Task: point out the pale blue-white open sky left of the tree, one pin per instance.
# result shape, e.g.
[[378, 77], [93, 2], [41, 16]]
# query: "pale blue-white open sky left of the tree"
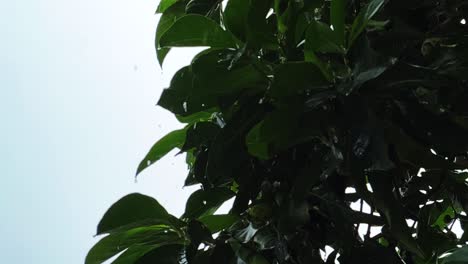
[[78, 86]]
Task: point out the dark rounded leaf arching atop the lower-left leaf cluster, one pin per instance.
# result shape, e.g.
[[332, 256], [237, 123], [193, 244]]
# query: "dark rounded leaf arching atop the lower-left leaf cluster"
[[132, 208]]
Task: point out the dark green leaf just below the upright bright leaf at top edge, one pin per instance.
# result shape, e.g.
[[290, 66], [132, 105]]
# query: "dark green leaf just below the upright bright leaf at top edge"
[[320, 38]]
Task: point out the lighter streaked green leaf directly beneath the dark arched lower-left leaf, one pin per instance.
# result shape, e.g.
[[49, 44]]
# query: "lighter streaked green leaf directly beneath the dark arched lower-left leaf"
[[112, 244]]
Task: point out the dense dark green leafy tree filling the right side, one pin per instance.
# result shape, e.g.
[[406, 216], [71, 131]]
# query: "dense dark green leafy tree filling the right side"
[[296, 110]]
